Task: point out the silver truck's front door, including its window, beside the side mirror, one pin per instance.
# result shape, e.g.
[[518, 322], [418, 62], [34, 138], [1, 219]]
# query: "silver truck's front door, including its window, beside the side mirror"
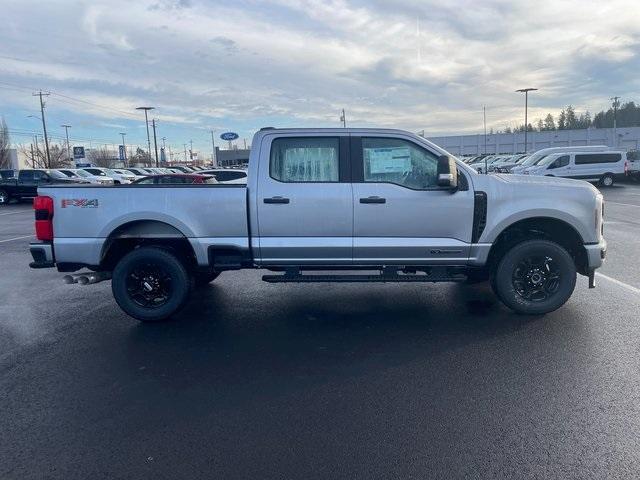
[[401, 216]]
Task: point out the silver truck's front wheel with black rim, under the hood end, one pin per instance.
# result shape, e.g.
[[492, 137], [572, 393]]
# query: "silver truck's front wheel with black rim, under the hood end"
[[535, 277]]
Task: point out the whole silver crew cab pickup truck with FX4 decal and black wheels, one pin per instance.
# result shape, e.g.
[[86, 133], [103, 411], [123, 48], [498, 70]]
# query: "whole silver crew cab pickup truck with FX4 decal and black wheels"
[[329, 205]]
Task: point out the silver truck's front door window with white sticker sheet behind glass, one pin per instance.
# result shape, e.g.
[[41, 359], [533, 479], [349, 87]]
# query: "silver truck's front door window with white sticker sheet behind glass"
[[393, 160]]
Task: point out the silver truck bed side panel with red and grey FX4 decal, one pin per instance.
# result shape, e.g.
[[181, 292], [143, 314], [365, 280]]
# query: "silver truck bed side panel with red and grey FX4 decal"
[[85, 216]]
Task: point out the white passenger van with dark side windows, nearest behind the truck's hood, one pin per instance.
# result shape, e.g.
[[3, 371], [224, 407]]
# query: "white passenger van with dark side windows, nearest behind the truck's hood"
[[602, 167]]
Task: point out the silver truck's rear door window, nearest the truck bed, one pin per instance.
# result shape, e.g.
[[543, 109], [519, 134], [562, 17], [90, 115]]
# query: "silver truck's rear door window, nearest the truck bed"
[[304, 159]]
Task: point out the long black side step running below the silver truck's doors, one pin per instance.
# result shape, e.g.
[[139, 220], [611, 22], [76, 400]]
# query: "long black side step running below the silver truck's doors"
[[436, 275]]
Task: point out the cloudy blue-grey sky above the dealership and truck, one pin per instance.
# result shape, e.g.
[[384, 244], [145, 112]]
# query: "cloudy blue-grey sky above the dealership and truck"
[[238, 65]]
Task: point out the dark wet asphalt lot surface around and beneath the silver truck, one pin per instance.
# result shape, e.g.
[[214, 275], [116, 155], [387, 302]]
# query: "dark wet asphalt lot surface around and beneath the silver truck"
[[258, 380]]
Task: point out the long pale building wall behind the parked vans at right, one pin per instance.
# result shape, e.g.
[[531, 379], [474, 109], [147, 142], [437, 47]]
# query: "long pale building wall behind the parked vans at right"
[[623, 138]]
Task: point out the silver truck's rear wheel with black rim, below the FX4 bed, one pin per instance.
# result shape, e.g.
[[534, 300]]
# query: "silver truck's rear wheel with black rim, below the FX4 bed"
[[150, 268]]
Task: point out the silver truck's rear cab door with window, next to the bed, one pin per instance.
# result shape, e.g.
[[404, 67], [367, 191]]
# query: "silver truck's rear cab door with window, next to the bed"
[[304, 200]]
